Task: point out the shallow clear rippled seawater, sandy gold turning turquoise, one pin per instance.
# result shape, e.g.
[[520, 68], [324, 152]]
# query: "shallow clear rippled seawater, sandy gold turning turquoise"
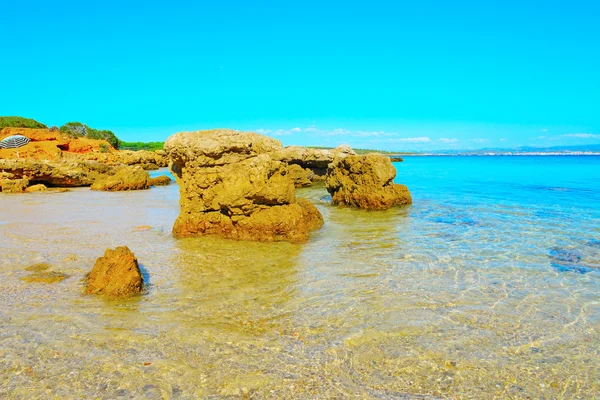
[[488, 286]]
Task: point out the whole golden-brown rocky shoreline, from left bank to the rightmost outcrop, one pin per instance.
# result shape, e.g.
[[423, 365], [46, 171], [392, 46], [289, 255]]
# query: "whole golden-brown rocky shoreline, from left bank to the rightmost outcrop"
[[238, 185]]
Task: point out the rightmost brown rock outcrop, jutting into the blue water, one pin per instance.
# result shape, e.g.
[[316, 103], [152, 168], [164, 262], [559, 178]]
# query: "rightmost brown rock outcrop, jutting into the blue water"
[[366, 182]]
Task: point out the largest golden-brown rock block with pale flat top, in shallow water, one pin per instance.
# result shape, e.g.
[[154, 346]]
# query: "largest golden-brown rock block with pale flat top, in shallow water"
[[231, 186]]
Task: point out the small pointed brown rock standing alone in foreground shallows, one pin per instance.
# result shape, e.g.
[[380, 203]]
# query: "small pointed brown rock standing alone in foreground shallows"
[[116, 274]]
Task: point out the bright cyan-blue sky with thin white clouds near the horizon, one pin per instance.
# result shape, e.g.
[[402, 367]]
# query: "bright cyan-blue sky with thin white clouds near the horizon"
[[379, 74]]
